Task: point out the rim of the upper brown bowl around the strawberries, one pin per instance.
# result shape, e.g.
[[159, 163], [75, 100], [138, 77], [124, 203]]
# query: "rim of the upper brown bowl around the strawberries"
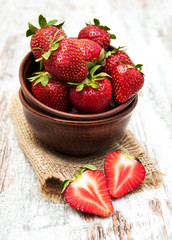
[[62, 114]]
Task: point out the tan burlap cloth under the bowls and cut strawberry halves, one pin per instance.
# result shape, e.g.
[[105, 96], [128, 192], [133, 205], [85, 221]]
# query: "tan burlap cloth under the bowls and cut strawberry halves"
[[52, 168]]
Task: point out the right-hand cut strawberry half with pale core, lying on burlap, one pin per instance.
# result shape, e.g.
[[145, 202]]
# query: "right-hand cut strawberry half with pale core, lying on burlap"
[[123, 173]]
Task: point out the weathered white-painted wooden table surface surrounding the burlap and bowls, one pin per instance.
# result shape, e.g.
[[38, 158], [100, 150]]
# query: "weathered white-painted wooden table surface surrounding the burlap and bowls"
[[145, 27]]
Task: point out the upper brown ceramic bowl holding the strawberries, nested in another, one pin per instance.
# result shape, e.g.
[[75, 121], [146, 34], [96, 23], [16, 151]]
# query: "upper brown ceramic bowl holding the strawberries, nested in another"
[[28, 67]]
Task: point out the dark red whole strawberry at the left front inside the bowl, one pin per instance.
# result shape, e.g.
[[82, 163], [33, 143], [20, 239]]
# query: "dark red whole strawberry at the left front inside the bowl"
[[49, 91]]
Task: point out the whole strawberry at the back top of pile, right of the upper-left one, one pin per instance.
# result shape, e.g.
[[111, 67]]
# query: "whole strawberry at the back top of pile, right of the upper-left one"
[[97, 33]]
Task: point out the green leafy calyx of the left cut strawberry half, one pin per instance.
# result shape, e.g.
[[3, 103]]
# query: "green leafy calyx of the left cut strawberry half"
[[76, 176]]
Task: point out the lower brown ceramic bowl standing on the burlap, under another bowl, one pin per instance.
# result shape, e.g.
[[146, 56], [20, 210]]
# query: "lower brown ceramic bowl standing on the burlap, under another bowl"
[[73, 136]]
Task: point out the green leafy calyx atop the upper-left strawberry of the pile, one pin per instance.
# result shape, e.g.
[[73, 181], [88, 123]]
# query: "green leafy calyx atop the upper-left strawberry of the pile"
[[42, 23]]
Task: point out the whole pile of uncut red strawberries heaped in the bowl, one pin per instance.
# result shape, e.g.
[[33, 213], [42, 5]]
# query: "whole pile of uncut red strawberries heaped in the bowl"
[[84, 74]]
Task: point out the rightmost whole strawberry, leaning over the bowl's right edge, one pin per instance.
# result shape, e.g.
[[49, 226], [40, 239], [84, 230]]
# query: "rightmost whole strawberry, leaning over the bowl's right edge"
[[126, 81]]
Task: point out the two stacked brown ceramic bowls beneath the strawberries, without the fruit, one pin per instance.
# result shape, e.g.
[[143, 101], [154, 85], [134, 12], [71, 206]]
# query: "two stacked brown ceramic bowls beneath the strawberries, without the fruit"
[[70, 133]]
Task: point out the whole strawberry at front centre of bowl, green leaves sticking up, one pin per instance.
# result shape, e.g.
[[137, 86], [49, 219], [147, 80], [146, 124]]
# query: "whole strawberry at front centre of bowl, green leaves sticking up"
[[93, 95]]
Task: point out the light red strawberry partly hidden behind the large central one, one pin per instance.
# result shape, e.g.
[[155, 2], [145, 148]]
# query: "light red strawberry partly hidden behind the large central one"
[[92, 52]]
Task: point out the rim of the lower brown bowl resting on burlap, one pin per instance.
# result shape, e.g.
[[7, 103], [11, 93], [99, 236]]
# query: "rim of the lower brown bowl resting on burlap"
[[63, 121]]
